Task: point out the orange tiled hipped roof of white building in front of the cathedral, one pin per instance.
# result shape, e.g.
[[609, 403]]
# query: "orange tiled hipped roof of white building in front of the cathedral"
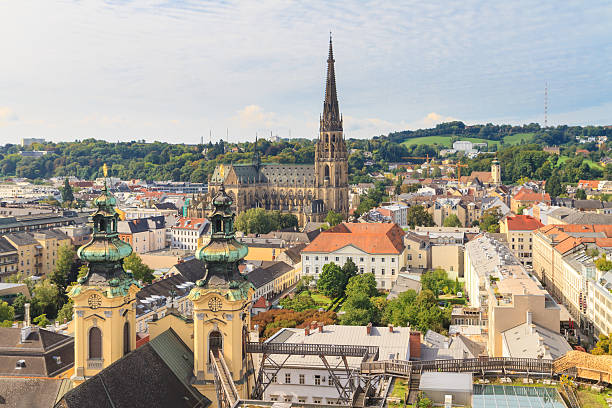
[[372, 238]]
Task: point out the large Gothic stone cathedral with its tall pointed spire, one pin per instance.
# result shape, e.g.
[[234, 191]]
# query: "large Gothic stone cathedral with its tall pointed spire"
[[305, 190]]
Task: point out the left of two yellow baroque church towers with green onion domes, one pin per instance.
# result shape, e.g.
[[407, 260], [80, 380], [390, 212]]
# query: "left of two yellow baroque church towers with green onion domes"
[[104, 299]]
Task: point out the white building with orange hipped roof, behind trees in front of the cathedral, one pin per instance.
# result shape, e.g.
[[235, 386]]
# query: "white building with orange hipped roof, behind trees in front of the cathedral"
[[374, 247]]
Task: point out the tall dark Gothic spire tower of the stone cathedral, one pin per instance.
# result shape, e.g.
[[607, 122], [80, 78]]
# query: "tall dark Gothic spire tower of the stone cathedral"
[[331, 157]]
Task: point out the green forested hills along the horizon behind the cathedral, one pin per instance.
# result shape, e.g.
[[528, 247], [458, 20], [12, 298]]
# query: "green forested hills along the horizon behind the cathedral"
[[180, 162]]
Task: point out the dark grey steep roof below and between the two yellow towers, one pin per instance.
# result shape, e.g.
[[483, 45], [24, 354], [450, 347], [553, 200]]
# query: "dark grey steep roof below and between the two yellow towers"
[[157, 374]]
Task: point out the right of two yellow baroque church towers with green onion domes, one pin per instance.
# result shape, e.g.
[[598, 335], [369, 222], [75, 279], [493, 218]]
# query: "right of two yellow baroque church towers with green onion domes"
[[221, 305]]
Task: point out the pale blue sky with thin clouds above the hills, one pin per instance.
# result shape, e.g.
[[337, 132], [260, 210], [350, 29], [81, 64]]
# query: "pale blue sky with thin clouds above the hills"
[[181, 70]]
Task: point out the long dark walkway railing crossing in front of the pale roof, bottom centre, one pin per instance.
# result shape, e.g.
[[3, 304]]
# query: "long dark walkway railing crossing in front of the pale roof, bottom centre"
[[312, 349]]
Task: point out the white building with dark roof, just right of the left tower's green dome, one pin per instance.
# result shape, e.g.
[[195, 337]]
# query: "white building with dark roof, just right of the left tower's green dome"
[[145, 234]]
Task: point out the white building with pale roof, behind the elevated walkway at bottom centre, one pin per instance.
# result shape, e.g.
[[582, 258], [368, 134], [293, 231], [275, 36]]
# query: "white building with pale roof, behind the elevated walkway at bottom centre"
[[304, 379]]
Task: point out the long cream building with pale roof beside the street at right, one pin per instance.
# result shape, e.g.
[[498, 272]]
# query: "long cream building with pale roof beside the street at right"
[[515, 302]]
